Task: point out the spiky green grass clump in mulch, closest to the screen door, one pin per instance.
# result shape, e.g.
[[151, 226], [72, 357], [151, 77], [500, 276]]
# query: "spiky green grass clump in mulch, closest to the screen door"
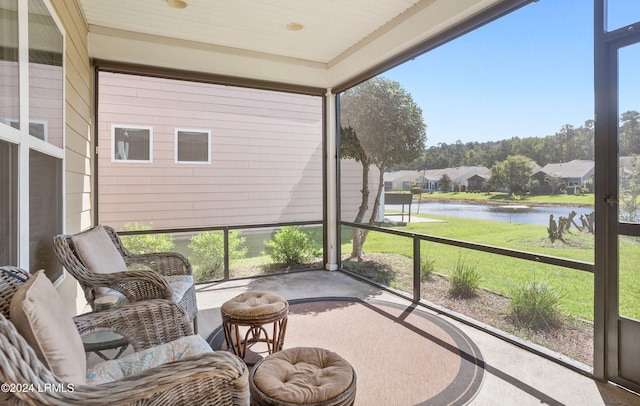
[[535, 305]]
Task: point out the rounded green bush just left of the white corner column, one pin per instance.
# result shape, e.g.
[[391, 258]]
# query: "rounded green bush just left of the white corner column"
[[292, 246]]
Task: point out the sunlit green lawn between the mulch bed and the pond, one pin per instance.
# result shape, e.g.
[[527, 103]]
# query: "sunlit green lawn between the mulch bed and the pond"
[[500, 273]]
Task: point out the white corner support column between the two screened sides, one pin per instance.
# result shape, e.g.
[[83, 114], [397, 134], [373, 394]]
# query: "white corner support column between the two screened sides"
[[332, 183]]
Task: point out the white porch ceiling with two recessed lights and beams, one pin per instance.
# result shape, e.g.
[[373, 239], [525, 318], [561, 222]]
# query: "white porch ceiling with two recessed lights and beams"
[[254, 32]]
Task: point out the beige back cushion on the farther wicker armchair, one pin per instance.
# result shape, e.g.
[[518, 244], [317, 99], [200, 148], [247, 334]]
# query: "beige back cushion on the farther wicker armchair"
[[97, 251]]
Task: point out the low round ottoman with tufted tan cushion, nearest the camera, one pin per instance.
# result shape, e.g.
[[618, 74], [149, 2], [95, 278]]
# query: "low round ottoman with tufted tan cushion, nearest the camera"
[[303, 376]]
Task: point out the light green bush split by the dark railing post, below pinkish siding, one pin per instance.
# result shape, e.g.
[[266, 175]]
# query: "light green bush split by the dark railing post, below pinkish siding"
[[208, 253]]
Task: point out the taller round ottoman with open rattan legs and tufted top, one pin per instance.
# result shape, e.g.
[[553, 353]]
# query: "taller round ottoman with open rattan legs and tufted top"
[[245, 319]]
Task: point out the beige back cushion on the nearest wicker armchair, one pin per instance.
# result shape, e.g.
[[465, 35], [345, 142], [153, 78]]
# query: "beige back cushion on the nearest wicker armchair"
[[41, 318]]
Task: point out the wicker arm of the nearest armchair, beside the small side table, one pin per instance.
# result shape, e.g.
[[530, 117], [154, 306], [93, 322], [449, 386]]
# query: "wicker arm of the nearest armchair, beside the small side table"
[[143, 324]]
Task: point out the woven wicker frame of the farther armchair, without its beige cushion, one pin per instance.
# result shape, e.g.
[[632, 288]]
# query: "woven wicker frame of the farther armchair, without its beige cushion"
[[148, 276]]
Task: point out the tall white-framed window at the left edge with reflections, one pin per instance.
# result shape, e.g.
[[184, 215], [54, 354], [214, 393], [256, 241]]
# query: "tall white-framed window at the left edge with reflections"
[[31, 173]]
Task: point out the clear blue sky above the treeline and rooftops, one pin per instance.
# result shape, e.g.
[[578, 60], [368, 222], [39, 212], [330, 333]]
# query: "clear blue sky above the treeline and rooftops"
[[526, 74]]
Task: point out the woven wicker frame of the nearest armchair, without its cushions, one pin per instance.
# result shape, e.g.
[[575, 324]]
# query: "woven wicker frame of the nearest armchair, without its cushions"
[[212, 378]]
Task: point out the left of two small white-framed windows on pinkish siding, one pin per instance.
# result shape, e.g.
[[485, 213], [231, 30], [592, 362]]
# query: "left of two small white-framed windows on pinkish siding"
[[132, 144]]
